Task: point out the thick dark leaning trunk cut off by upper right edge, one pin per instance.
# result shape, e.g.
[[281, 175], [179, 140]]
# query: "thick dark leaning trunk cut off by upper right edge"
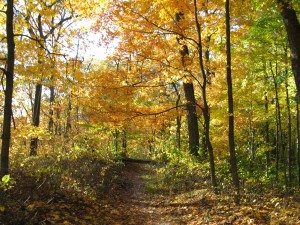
[[292, 26]]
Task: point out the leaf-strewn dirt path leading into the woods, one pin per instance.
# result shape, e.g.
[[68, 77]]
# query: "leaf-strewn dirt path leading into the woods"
[[133, 204]]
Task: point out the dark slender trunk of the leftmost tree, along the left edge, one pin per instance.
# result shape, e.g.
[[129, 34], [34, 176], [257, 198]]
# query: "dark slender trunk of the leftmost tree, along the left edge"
[[10, 64]]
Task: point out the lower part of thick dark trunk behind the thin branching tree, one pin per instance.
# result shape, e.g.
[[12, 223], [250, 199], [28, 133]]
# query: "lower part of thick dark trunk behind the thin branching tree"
[[192, 119]]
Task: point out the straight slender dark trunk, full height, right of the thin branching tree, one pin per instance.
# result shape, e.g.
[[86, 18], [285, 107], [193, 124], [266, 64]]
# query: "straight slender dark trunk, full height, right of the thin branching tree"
[[233, 163]]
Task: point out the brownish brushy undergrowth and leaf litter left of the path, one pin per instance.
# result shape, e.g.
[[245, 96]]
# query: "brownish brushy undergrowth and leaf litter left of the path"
[[58, 189]]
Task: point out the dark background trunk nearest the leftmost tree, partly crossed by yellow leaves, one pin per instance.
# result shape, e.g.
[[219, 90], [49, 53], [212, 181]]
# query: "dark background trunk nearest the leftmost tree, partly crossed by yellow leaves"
[[36, 117]]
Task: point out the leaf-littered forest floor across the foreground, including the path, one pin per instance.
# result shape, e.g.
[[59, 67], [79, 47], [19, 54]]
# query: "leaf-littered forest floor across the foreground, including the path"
[[134, 200]]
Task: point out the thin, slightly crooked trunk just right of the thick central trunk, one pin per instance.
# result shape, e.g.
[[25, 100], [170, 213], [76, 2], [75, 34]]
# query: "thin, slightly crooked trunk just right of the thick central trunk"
[[205, 109]]
